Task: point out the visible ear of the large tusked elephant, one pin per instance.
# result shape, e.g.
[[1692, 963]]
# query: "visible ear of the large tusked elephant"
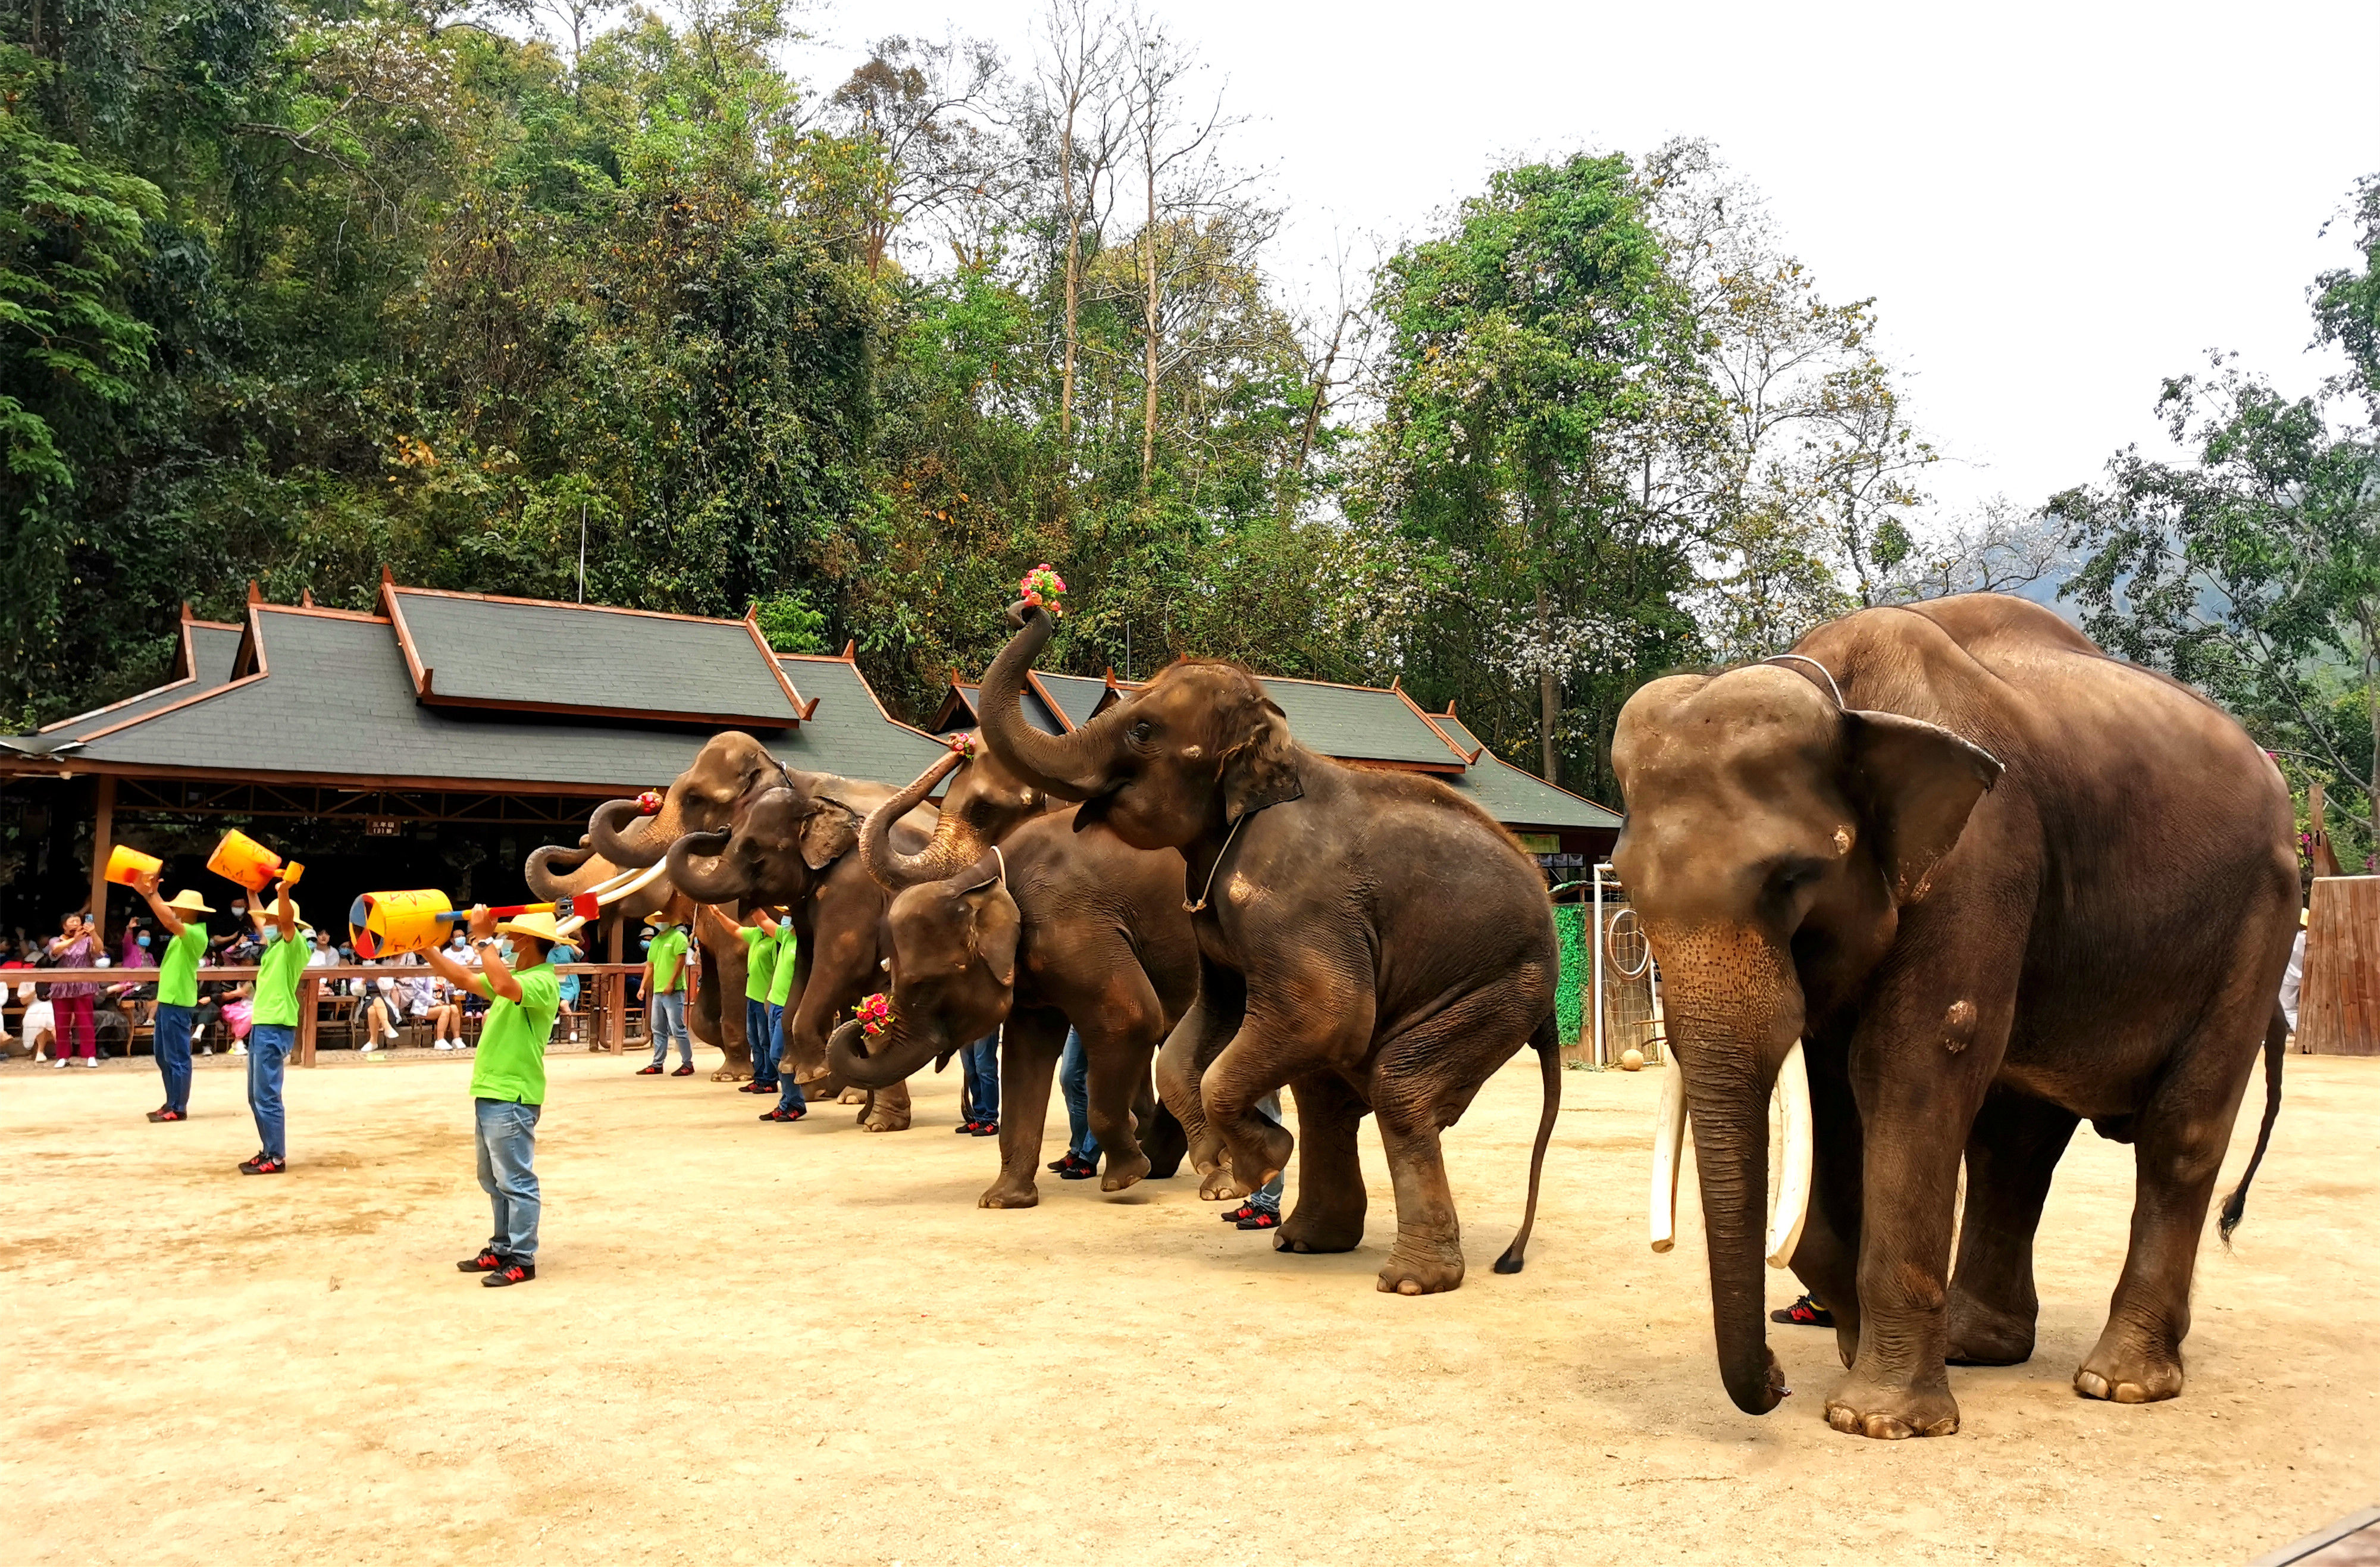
[[1915, 785]]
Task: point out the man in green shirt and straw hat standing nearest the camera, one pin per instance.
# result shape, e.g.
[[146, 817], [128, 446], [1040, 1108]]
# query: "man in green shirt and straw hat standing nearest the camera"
[[508, 1080]]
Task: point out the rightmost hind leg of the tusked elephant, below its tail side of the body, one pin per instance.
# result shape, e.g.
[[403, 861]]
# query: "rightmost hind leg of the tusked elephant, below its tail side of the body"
[[2177, 1159]]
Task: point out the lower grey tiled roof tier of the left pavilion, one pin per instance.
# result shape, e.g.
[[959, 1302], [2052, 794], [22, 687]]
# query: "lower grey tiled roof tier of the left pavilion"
[[339, 701]]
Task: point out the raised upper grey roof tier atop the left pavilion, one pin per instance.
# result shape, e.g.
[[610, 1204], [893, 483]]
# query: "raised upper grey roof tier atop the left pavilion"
[[653, 663]]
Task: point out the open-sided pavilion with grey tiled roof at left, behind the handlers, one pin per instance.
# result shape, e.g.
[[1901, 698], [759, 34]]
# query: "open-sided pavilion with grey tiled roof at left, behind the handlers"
[[427, 744]]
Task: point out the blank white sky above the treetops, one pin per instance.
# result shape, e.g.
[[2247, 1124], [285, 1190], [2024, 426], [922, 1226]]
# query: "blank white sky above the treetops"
[[2053, 206]]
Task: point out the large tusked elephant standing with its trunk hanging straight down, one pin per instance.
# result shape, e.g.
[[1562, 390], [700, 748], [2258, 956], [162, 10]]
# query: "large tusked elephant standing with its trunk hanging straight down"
[[1953, 880]]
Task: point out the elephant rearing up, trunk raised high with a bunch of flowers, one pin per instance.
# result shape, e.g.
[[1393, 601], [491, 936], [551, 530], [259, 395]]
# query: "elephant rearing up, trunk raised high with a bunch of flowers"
[[1367, 937]]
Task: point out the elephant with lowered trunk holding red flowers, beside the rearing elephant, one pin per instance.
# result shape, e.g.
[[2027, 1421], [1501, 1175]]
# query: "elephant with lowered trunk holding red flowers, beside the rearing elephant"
[[1053, 930]]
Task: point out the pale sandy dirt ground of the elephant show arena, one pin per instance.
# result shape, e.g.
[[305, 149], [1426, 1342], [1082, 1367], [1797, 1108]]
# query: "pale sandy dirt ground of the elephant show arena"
[[808, 1344]]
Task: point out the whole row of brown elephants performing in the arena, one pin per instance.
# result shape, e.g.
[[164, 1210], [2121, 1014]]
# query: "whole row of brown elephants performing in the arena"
[[1946, 880]]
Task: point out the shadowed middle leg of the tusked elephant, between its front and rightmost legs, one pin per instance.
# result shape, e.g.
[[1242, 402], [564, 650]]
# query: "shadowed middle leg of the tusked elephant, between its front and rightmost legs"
[[2010, 1159]]
